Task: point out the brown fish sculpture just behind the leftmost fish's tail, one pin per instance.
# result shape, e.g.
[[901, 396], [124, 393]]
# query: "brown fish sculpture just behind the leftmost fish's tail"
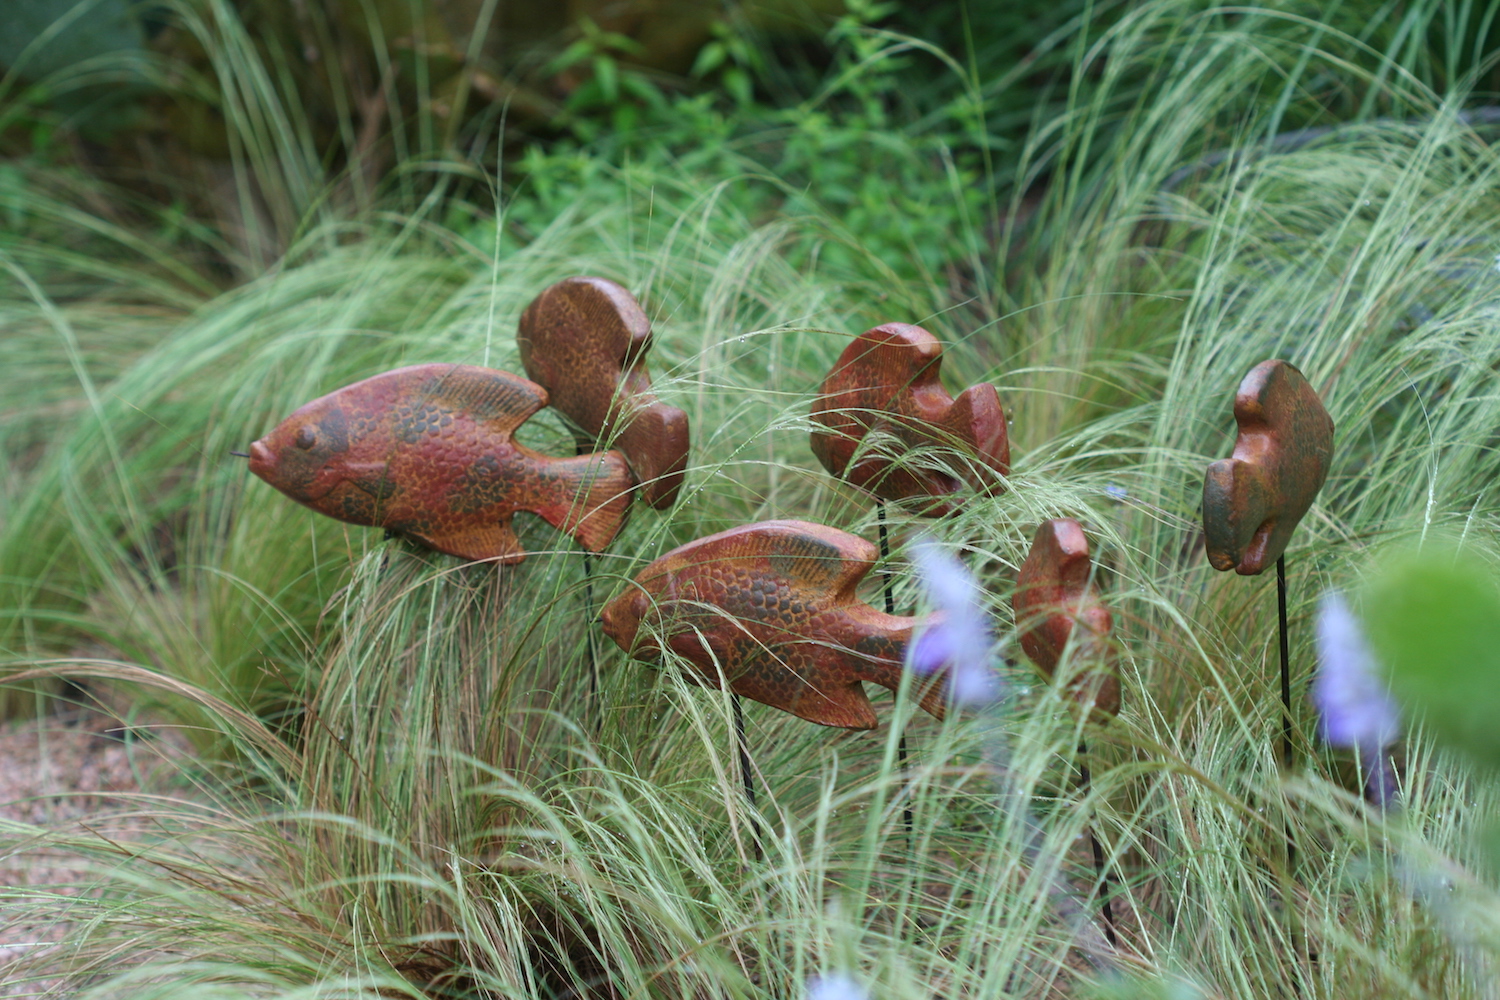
[[584, 341]]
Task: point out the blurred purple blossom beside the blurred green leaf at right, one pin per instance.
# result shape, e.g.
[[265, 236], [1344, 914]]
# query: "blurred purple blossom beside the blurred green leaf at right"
[[1354, 707]]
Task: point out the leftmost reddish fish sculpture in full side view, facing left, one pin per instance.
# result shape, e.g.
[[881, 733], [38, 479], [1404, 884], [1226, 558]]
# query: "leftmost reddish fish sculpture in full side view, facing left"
[[428, 452]]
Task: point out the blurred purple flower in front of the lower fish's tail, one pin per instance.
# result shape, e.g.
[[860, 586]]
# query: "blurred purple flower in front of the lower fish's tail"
[[958, 638]]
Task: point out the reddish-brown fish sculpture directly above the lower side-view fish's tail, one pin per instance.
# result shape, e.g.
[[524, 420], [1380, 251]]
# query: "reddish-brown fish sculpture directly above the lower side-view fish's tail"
[[889, 380]]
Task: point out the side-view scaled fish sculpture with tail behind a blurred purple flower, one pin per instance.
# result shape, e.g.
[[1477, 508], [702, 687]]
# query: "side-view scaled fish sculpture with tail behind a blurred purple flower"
[[773, 606]]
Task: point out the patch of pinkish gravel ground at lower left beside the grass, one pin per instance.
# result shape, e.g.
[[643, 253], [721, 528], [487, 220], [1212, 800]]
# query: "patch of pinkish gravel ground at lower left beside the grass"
[[67, 773]]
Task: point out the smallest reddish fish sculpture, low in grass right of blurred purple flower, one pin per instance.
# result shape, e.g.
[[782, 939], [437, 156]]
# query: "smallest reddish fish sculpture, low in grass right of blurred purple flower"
[[1055, 603]]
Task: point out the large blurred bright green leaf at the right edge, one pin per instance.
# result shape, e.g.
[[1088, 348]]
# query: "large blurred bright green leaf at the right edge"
[[1435, 621]]
